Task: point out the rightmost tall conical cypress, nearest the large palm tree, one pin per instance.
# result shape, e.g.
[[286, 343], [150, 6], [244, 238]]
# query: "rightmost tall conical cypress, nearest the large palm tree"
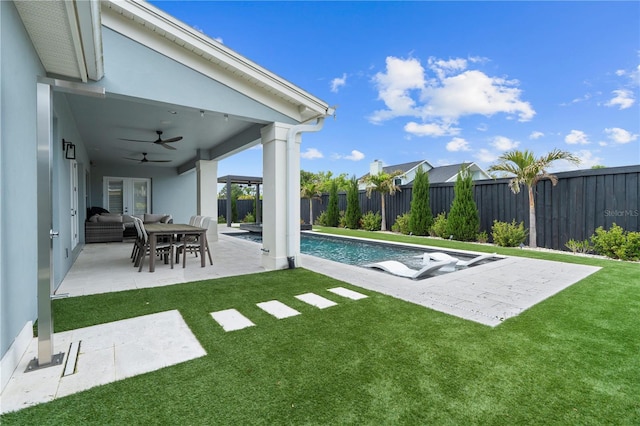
[[463, 221]]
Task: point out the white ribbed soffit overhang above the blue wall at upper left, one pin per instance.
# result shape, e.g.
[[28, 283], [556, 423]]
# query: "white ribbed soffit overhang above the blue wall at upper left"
[[53, 29]]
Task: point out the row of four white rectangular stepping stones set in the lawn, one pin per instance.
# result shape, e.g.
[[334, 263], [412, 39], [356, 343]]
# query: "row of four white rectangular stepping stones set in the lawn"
[[232, 319]]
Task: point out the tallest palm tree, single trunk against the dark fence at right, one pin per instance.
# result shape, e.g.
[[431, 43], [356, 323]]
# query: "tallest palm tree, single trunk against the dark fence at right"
[[528, 170]]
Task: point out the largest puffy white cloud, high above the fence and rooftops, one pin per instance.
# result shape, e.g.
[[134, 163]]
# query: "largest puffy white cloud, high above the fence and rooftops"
[[454, 92]]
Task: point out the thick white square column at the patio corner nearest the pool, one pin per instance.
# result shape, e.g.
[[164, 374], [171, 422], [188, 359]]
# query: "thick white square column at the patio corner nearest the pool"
[[274, 198]]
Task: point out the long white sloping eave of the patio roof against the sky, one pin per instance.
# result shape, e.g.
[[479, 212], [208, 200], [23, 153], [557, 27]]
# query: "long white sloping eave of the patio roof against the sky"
[[163, 33]]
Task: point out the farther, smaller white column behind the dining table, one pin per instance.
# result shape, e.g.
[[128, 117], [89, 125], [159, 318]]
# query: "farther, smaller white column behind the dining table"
[[207, 177]]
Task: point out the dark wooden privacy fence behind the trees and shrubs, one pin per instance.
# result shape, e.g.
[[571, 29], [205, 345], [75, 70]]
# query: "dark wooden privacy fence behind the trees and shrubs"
[[581, 201]]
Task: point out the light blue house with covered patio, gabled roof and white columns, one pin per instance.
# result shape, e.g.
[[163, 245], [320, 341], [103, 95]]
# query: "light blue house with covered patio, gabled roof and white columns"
[[101, 91]]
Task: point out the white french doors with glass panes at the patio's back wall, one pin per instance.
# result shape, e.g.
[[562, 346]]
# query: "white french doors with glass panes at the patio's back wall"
[[127, 195]]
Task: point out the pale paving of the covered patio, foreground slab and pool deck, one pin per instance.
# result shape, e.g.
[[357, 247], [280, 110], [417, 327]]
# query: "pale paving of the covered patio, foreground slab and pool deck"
[[487, 294]]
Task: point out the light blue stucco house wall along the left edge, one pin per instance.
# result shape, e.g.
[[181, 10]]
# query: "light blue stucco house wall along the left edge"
[[19, 67]]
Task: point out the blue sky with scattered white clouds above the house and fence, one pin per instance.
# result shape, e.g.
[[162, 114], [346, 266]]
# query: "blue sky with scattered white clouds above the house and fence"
[[444, 81]]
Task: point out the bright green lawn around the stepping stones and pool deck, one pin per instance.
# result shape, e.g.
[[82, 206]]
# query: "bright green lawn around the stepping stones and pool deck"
[[573, 359]]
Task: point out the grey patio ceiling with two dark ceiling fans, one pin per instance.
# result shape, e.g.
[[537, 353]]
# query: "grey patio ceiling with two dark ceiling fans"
[[103, 123]]
